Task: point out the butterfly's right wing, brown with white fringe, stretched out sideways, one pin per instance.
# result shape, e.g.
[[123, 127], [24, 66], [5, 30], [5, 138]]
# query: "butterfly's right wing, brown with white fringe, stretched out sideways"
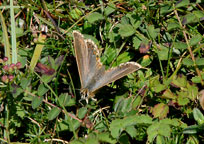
[[114, 74]]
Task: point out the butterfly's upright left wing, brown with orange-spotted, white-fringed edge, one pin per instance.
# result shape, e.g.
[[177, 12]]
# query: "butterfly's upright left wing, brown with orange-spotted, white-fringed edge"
[[88, 61]]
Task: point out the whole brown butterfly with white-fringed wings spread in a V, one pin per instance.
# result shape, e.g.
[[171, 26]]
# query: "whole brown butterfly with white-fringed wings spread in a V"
[[92, 72]]
